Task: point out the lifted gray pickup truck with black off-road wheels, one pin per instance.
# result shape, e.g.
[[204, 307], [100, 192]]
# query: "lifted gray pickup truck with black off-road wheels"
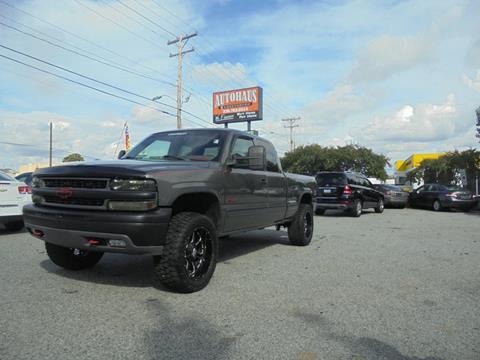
[[172, 196]]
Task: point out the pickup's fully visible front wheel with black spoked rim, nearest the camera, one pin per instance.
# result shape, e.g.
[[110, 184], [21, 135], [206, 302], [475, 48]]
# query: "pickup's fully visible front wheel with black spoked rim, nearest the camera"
[[190, 253]]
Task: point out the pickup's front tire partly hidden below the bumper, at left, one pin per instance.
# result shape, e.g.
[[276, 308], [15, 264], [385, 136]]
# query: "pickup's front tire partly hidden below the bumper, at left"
[[72, 259]]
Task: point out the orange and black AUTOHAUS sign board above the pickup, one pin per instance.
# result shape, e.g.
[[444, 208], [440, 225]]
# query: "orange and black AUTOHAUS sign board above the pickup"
[[237, 105]]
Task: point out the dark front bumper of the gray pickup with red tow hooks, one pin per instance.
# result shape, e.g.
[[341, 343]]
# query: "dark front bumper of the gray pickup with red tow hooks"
[[142, 232]]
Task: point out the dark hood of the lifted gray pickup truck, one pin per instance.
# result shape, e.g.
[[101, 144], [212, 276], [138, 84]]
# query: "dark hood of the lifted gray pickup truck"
[[122, 168]]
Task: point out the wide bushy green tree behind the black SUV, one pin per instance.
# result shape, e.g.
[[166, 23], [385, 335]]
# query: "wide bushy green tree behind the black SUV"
[[314, 158]]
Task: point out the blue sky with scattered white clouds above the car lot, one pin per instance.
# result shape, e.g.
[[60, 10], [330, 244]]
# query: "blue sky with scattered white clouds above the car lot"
[[399, 77]]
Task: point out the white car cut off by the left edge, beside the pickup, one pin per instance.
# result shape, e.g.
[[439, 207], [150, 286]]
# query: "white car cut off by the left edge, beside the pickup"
[[13, 195]]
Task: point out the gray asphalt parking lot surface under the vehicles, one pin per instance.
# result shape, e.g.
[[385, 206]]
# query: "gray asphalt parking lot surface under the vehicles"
[[402, 285]]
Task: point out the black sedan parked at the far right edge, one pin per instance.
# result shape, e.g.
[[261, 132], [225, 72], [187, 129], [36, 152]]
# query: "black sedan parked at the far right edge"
[[439, 197]]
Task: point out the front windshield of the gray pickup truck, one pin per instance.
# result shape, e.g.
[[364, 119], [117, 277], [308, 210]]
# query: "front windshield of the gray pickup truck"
[[197, 145]]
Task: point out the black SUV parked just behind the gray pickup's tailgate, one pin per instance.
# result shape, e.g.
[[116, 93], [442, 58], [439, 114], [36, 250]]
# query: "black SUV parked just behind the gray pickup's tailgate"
[[349, 191]]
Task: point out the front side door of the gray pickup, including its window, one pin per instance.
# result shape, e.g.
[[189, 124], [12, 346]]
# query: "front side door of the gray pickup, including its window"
[[245, 190]]
